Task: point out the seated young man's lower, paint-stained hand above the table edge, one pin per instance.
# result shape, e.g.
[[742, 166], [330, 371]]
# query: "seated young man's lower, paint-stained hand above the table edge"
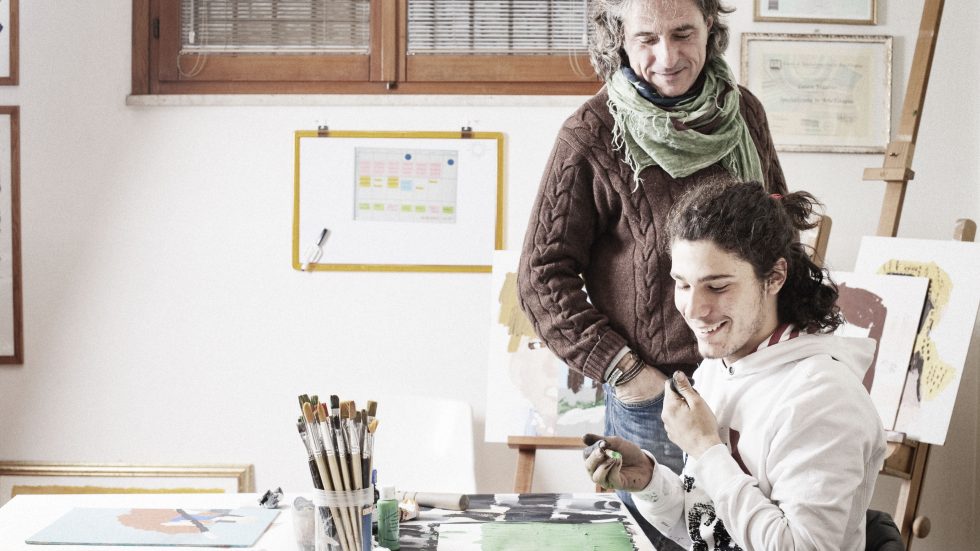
[[617, 464]]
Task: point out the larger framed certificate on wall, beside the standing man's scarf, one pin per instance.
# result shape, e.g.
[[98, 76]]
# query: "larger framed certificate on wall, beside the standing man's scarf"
[[822, 93]]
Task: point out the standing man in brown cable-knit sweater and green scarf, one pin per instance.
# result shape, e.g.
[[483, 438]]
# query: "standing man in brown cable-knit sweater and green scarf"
[[593, 279]]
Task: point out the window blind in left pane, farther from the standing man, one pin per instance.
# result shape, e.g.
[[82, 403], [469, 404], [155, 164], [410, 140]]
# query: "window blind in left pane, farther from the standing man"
[[275, 26]]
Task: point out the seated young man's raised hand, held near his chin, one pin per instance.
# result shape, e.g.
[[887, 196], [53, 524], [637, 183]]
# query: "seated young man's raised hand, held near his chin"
[[689, 421]]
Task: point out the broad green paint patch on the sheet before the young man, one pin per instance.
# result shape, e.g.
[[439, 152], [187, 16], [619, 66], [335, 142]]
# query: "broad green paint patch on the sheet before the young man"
[[534, 536]]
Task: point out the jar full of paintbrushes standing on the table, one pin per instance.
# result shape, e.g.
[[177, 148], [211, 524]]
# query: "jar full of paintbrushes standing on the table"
[[339, 441]]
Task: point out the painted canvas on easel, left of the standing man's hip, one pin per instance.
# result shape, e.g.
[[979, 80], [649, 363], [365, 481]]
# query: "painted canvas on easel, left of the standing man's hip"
[[530, 392]]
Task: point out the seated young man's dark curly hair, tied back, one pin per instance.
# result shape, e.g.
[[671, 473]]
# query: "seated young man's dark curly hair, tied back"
[[760, 228]]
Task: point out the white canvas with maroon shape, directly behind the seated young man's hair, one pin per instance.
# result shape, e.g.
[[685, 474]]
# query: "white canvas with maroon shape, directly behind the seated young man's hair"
[[886, 308]]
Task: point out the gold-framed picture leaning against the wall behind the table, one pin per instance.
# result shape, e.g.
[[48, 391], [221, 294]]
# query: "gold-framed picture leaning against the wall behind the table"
[[26, 477]]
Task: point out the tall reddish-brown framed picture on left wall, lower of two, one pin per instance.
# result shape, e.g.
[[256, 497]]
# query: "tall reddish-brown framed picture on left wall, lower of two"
[[11, 307]]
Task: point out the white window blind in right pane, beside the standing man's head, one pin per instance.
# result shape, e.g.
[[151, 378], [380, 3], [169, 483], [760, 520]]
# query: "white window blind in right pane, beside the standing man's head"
[[496, 26]]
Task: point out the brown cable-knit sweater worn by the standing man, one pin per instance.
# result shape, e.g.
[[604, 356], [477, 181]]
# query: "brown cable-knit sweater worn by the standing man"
[[587, 223]]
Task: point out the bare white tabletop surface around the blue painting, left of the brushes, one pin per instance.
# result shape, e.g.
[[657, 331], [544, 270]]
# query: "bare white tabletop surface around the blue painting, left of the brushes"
[[25, 515]]
